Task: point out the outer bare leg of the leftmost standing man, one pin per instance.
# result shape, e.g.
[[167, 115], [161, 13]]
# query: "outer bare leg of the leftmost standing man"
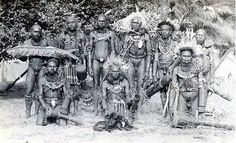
[[30, 82]]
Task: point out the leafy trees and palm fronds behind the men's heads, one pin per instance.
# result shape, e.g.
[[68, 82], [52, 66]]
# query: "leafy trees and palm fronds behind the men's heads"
[[17, 16]]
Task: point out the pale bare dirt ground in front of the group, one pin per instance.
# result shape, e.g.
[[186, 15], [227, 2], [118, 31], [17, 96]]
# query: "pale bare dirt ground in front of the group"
[[150, 127]]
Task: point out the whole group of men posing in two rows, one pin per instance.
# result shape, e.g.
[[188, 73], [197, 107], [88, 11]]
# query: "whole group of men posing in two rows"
[[155, 64]]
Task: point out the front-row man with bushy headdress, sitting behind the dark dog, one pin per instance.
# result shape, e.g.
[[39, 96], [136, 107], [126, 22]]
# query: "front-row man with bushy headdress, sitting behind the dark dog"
[[116, 94]]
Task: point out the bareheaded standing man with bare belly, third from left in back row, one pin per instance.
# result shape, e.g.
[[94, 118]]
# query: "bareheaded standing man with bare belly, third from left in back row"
[[101, 48]]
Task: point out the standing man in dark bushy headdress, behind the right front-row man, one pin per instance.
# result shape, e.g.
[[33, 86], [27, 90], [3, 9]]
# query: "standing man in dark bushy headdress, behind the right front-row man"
[[164, 58]]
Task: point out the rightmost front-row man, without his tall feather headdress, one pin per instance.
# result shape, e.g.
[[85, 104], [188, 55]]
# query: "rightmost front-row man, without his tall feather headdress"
[[187, 91]]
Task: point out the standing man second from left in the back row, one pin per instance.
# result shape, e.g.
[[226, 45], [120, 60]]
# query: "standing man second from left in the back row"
[[73, 40]]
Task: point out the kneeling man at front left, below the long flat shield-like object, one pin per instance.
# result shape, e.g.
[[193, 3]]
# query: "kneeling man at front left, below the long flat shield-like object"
[[54, 102]]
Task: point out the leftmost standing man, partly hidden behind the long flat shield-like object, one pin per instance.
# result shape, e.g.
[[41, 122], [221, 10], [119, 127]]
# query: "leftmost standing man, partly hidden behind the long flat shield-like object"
[[35, 66]]
